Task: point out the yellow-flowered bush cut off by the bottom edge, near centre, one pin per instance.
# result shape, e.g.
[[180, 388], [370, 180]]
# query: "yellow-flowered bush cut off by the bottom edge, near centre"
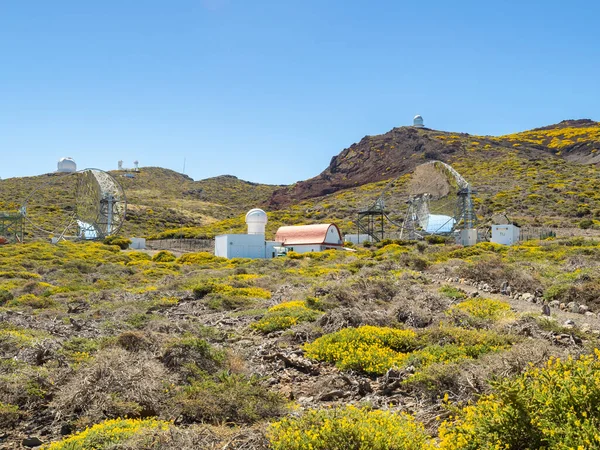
[[348, 427]]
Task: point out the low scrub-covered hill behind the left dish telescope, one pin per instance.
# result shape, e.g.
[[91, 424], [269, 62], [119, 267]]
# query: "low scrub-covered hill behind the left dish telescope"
[[157, 198]]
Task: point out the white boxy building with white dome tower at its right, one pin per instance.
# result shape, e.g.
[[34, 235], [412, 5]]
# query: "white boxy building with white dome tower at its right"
[[251, 245]]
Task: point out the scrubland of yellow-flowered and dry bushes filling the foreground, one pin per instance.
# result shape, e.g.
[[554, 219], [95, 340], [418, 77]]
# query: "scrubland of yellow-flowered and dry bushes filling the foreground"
[[374, 348]]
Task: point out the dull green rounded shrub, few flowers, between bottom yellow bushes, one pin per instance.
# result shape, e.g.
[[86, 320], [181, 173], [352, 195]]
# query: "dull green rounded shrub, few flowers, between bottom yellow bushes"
[[230, 399]]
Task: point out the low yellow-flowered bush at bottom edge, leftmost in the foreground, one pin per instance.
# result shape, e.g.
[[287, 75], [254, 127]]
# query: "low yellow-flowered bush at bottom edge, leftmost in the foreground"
[[106, 434]]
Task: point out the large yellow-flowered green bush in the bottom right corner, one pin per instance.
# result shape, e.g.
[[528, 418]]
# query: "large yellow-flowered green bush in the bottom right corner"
[[554, 407]]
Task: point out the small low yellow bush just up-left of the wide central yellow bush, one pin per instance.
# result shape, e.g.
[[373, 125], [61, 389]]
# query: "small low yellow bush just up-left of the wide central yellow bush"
[[286, 315]]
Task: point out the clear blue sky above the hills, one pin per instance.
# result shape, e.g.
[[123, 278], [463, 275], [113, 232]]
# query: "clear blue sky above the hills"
[[270, 90]]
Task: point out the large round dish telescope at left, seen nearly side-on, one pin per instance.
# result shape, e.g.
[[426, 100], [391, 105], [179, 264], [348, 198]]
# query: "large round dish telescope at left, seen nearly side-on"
[[88, 204]]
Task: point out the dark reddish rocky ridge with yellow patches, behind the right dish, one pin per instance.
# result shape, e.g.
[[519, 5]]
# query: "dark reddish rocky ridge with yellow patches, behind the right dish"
[[389, 155]]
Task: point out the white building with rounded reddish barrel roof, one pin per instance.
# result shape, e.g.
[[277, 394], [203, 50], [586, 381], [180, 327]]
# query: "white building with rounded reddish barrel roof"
[[310, 238]]
